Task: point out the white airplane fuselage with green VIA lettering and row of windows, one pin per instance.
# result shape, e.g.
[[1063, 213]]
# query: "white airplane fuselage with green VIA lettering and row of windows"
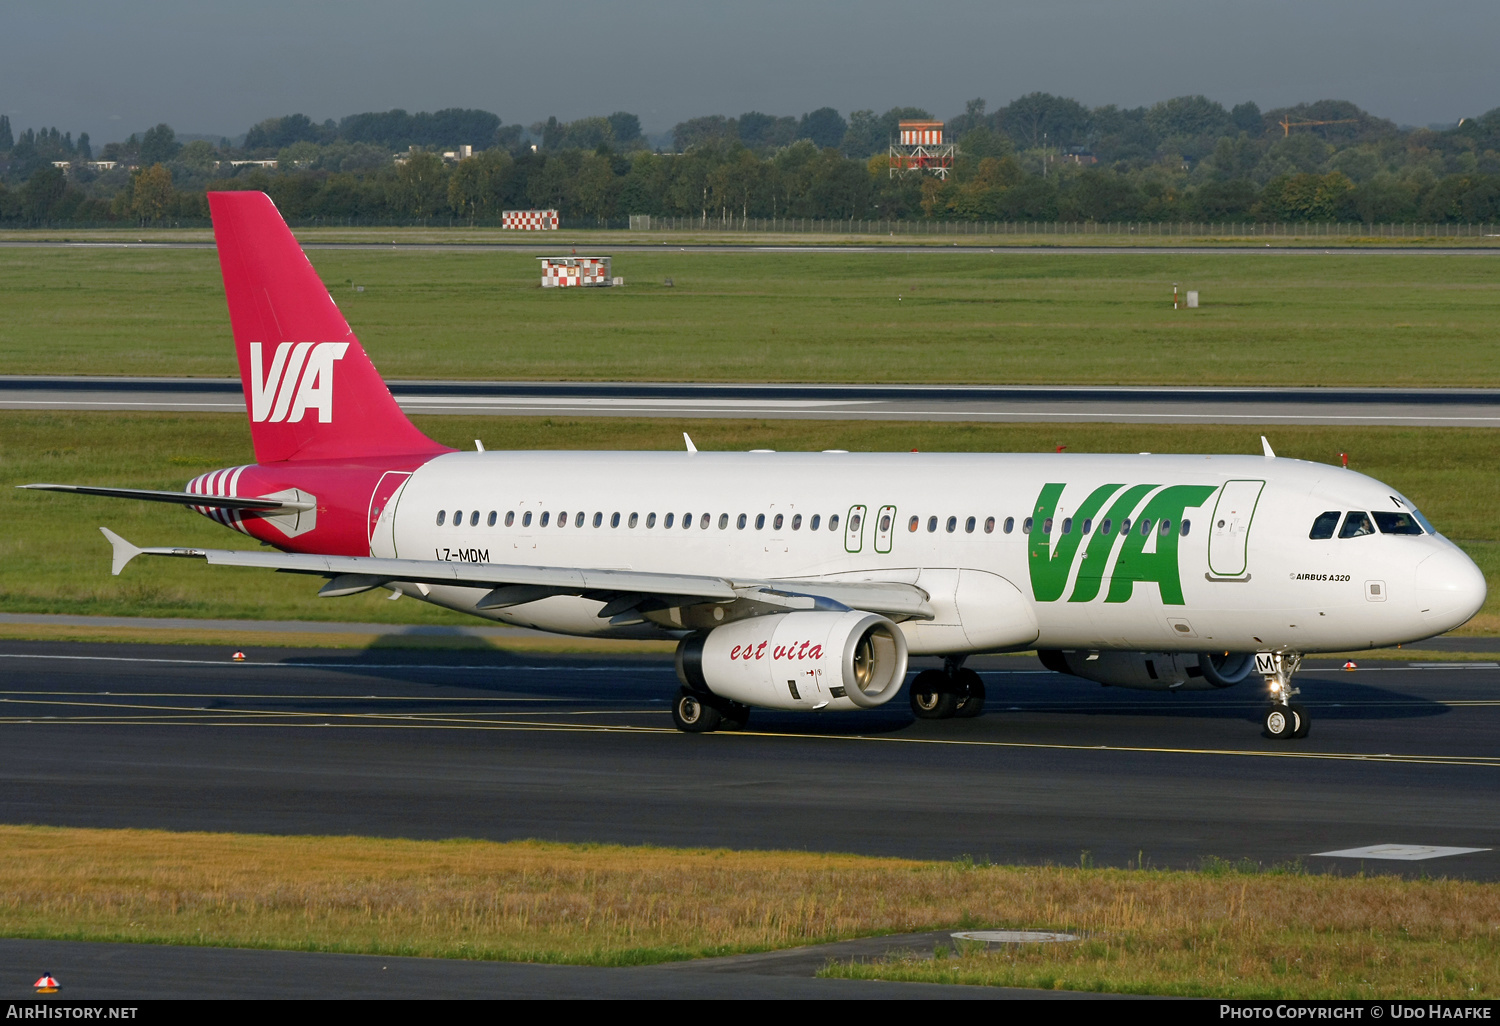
[[1246, 575]]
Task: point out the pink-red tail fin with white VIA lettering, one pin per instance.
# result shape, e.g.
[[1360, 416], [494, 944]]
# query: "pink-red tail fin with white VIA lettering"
[[310, 388]]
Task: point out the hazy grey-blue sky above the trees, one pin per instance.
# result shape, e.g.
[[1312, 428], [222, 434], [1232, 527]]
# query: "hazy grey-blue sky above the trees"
[[113, 68]]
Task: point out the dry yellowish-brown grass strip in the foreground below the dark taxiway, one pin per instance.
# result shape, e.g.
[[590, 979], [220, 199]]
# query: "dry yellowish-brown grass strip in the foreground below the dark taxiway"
[[1229, 932]]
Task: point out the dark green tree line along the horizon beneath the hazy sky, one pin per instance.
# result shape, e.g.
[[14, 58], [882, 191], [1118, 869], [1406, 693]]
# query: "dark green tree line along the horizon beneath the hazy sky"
[[1039, 158]]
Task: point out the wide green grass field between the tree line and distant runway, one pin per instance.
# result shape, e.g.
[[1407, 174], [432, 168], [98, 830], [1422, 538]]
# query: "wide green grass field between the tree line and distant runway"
[[970, 317]]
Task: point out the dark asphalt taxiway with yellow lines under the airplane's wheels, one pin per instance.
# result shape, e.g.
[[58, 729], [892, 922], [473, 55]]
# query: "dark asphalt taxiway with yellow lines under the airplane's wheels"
[[581, 749]]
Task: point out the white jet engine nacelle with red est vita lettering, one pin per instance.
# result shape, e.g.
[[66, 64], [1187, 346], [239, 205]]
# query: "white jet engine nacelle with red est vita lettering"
[[799, 661]]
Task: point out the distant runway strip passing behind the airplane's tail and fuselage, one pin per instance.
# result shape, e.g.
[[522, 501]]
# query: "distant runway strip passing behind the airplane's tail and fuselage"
[[997, 404]]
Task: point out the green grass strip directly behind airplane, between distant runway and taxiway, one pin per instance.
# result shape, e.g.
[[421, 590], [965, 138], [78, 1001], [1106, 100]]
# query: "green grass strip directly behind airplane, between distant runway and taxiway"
[[53, 559]]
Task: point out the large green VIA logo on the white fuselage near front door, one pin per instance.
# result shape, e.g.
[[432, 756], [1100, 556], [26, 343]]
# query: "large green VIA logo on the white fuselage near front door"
[[1051, 568]]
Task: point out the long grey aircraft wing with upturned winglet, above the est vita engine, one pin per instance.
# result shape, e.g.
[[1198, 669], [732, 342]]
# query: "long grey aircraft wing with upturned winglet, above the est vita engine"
[[511, 586]]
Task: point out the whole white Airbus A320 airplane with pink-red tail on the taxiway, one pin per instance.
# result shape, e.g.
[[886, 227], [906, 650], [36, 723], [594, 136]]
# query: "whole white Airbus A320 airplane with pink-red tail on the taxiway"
[[805, 581]]
